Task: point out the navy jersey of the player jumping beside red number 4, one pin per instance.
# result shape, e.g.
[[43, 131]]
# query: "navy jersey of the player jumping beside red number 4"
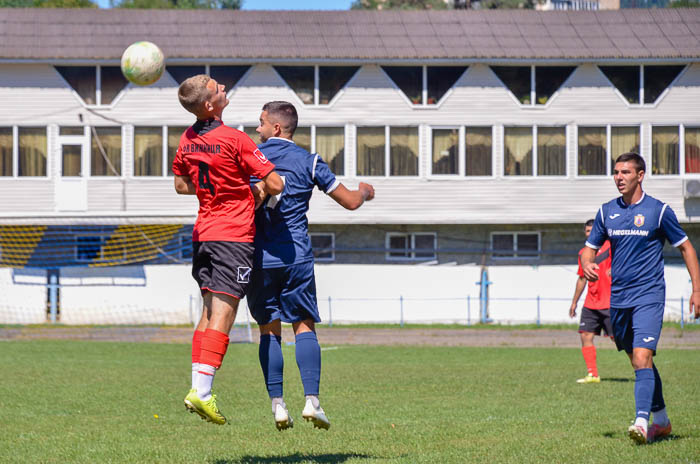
[[282, 229]]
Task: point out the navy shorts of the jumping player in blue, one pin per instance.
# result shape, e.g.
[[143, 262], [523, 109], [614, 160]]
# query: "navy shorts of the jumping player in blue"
[[286, 293]]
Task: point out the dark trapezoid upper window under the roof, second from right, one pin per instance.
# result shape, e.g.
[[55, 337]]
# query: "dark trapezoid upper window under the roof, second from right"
[[528, 91]]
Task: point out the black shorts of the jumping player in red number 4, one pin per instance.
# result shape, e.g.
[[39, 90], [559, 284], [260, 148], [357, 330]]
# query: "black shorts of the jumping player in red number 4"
[[222, 267]]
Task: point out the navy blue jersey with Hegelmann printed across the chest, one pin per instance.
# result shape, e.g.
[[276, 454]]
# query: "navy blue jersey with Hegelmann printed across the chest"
[[637, 233]]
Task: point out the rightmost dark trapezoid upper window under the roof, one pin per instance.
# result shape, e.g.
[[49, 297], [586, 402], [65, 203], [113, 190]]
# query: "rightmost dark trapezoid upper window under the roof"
[[628, 81]]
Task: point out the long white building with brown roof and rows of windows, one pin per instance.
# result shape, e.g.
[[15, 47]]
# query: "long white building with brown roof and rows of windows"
[[488, 135]]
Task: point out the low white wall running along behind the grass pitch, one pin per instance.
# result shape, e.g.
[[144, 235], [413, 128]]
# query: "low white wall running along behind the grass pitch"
[[358, 293]]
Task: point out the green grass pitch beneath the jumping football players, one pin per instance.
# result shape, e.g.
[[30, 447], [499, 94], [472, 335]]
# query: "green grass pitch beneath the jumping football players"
[[66, 401]]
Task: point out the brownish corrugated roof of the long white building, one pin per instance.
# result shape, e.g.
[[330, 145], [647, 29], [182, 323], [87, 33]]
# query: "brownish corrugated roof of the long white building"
[[103, 34]]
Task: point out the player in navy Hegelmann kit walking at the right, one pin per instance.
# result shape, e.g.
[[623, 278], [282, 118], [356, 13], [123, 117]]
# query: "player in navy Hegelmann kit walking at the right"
[[637, 226]]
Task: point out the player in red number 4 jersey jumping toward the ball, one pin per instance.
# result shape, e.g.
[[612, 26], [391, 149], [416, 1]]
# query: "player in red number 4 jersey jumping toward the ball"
[[215, 162]]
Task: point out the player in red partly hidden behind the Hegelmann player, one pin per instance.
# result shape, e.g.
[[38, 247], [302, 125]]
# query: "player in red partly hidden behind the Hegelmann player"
[[595, 315]]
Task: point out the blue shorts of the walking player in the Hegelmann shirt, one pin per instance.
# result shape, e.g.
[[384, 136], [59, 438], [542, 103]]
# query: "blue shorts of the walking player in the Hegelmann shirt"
[[638, 327]]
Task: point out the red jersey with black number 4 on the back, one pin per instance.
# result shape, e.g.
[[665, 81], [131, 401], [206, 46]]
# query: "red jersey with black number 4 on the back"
[[220, 161]]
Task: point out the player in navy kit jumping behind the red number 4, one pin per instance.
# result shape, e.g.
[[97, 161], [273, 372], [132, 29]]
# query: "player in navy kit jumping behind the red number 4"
[[283, 286]]
